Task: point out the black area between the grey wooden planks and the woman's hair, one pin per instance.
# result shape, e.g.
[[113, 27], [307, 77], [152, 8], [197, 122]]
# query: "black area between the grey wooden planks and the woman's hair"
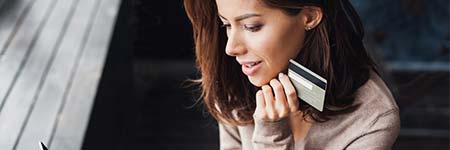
[[140, 103]]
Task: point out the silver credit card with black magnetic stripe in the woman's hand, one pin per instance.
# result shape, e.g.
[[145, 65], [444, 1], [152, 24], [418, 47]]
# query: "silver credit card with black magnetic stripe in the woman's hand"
[[310, 87]]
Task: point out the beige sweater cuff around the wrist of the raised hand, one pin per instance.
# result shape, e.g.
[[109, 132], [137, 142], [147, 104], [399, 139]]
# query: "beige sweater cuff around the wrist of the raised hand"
[[273, 135]]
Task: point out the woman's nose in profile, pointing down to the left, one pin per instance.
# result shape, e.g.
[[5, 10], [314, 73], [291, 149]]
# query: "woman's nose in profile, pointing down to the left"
[[235, 45]]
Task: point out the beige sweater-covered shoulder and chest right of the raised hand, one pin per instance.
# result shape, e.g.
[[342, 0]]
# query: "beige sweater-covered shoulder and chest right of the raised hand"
[[375, 119]]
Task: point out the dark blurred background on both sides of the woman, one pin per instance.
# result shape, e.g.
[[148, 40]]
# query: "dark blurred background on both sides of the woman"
[[141, 102]]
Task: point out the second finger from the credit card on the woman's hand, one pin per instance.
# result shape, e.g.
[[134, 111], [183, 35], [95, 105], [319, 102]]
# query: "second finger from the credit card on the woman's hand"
[[281, 105]]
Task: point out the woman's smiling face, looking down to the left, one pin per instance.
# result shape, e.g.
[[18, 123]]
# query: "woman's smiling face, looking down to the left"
[[262, 39]]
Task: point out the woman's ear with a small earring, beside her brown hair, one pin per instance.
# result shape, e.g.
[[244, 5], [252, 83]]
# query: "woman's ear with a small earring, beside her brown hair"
[[312, 15]]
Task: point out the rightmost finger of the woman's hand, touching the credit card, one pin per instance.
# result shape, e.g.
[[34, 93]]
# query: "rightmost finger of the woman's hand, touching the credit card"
[[290, 92]]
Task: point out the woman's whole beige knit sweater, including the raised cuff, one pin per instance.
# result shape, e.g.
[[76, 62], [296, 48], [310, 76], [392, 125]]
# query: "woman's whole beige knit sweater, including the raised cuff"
[[374, 125]]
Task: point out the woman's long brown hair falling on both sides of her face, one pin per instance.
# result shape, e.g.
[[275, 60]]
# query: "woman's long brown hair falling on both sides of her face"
[[333, 49]]
